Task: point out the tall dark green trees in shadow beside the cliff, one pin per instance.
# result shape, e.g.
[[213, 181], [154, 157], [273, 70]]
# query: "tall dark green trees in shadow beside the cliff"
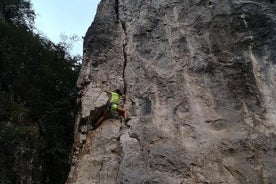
[[37, 89]]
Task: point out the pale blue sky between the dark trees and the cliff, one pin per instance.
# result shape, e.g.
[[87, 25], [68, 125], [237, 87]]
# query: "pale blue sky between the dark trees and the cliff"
[[69, 17]]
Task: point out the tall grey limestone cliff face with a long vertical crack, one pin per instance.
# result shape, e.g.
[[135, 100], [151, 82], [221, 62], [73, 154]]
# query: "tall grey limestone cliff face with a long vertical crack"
[[200, 77]]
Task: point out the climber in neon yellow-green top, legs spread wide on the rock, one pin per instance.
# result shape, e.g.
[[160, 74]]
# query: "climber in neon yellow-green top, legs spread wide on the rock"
[[113, 106]]
